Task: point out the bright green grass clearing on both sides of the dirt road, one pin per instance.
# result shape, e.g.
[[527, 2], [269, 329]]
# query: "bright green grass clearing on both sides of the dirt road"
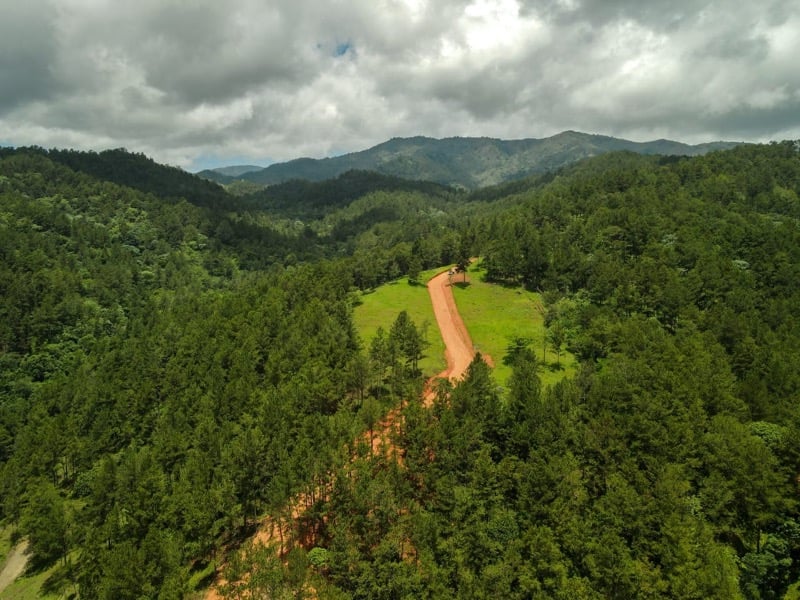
[[493, 315]]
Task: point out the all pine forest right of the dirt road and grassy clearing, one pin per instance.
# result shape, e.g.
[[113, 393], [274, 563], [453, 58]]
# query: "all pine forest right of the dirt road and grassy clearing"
[[667, 468]]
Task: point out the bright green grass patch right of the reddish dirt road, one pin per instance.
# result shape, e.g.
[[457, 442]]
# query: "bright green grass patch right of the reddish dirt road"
[[495, 314]]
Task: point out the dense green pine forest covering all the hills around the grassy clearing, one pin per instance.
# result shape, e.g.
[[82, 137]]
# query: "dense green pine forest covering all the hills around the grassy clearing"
[[178, 361]]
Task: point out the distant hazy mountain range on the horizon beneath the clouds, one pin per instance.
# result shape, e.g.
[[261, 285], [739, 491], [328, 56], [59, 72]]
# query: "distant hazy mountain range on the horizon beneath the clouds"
[[467, 162]]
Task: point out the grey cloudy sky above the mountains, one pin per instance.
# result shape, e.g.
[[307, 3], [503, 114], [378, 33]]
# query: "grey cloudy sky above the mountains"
[[209, 82]]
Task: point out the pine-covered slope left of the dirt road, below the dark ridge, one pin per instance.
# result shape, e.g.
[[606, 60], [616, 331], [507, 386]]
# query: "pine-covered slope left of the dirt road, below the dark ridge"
[[170, 371]]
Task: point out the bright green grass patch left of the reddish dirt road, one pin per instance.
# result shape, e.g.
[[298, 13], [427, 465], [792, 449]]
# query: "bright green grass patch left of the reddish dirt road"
[[380, 307]]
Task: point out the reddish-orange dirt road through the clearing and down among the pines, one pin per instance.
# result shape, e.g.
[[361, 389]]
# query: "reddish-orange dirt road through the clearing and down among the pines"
[[459, 352]]
